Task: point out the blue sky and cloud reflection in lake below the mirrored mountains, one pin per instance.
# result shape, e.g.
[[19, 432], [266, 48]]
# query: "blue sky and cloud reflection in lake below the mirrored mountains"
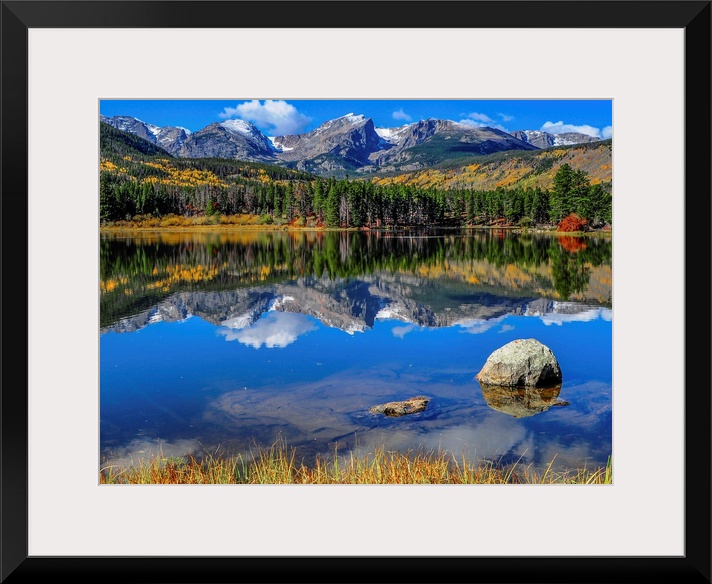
[[289, 376]]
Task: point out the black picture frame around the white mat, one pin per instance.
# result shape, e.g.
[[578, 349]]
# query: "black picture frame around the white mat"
[[692, 16]]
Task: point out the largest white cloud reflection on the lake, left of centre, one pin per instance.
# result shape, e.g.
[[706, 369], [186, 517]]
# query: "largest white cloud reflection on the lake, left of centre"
[[276, 330]]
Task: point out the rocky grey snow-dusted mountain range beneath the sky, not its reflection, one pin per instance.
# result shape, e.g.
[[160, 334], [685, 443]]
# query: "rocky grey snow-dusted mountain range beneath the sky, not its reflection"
[[350, 143]]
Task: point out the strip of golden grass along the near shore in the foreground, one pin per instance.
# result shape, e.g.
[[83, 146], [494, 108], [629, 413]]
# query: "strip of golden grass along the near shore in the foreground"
[[278, 465]]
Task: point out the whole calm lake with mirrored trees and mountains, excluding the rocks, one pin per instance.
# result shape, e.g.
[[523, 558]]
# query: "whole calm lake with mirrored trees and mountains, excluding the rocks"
[[226, 341]]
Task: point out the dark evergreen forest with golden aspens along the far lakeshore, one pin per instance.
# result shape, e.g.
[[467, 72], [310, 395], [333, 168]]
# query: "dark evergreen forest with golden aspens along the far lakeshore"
[[138, 178]]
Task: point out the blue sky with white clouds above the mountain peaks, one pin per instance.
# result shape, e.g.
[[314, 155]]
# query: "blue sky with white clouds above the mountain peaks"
[[281, 117]]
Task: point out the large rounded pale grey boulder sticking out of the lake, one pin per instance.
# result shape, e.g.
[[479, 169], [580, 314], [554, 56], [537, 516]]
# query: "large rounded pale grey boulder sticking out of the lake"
[[521, 363]]
